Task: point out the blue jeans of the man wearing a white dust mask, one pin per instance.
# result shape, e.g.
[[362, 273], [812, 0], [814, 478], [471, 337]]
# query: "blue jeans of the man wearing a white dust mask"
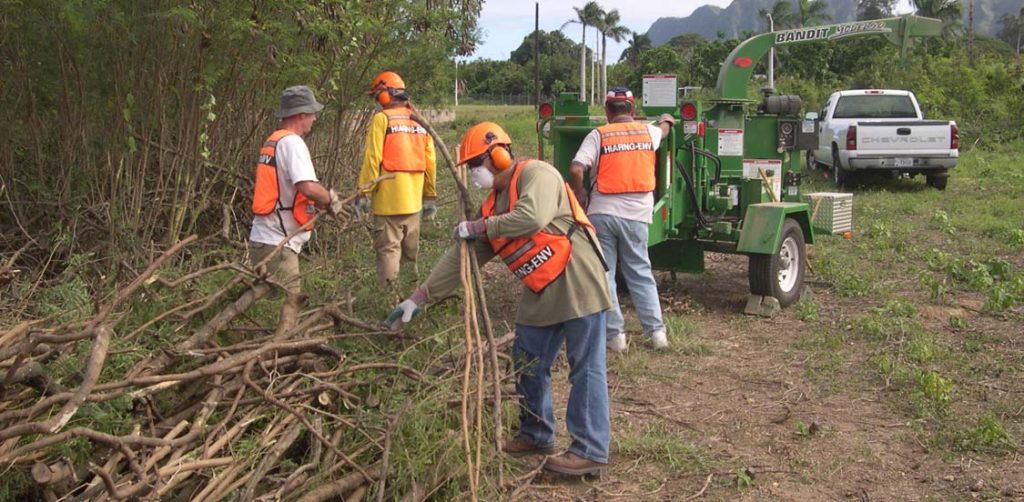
[[587, 414]]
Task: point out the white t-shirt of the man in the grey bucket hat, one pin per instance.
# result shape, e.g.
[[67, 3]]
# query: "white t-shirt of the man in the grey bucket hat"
[[294, 165]]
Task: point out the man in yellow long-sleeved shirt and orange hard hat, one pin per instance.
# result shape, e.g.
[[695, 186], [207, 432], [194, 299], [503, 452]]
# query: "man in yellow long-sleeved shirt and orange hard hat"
[[398, 146]]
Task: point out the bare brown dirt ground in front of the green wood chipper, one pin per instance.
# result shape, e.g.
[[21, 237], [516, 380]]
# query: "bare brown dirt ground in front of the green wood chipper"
[[739, 410]]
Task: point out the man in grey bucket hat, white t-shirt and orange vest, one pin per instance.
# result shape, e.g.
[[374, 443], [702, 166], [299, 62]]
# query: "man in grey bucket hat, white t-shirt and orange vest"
[[287, 192]]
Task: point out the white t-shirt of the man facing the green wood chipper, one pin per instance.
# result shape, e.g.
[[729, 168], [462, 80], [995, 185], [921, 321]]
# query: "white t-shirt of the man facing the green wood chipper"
[[630, 206]]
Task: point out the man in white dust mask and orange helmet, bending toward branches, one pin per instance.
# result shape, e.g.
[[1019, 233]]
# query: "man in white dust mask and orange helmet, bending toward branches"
[[534, 223]]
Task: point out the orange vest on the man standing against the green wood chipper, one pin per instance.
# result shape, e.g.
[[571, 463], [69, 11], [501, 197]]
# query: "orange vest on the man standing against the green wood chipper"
[[626, 159]]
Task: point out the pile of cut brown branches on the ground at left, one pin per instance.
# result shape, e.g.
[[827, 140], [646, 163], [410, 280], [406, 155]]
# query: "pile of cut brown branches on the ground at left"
[[293, 413]]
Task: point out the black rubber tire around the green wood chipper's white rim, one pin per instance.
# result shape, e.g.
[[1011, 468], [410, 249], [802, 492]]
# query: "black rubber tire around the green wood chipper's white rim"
[[763, 270]]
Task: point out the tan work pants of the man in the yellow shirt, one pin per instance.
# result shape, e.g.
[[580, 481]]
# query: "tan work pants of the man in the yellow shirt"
[[397, 241]]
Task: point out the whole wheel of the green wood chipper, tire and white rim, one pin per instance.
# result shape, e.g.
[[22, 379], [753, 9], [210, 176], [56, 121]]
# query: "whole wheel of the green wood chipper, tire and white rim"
[[781, 275]]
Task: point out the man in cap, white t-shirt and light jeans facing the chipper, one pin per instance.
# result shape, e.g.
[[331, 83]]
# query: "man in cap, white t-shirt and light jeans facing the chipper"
[[620, 160]]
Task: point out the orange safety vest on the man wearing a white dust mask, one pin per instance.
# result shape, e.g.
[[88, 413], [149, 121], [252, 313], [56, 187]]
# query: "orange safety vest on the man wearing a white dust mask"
[[540, 260]]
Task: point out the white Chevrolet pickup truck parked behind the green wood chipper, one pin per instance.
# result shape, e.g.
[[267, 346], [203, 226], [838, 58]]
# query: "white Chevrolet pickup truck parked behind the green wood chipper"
[[884, 132]]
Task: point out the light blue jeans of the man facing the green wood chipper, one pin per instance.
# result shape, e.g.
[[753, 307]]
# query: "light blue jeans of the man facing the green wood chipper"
[[625, 243]]
